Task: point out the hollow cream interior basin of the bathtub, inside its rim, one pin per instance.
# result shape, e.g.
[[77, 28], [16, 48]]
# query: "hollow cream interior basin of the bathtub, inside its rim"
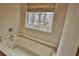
[[34, 48]]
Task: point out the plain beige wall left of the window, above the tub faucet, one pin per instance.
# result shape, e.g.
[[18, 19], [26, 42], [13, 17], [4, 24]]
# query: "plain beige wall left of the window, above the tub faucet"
[[9, 17]]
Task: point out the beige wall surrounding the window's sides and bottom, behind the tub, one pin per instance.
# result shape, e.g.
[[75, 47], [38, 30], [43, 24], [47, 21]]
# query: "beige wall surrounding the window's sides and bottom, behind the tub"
[[57, 26]]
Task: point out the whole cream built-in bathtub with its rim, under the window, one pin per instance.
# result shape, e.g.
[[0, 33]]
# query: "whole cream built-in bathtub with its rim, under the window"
[[25, 46]]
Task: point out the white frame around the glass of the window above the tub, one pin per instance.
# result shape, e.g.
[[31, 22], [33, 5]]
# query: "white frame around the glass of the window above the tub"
[[39, 29]]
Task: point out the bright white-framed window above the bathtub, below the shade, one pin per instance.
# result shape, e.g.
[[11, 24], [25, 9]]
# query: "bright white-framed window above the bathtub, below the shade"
[[41, 21]]
